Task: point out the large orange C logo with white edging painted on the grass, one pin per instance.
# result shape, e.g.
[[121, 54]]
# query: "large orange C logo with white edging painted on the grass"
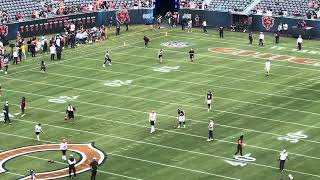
[[86, 151]]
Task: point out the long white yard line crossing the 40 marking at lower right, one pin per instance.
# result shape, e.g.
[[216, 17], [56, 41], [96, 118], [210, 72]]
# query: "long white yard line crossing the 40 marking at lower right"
[[166, 147]]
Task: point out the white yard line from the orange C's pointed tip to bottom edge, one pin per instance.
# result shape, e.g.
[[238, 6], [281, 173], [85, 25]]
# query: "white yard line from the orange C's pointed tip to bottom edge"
[[176, 167]]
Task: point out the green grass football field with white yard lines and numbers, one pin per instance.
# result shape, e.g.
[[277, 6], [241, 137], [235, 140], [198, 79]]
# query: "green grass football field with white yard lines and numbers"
[[113, 104]]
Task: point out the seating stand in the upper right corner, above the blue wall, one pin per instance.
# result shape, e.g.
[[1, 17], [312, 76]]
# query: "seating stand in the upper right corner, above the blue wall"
[[298, 8]]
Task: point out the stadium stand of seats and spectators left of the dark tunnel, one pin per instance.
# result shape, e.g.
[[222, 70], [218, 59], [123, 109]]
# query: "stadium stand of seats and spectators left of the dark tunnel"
[[19, 10]]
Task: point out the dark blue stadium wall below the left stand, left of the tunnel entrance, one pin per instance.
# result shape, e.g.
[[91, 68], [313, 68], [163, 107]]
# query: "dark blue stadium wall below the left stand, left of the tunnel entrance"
[[56, 25]]
